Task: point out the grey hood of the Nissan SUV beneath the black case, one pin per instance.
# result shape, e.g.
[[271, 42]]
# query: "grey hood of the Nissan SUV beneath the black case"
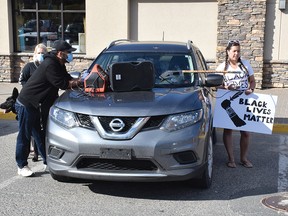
[[159, 101]]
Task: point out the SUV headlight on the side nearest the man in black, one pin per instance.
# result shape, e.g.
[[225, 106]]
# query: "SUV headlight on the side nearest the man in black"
[[63, 117]]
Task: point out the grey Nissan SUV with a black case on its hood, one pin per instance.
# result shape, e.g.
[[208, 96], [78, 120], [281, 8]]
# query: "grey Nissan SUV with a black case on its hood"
[[158, 134]]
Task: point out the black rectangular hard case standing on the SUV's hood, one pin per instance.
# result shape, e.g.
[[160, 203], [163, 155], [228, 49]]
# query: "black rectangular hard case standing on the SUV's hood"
[[132, 76]]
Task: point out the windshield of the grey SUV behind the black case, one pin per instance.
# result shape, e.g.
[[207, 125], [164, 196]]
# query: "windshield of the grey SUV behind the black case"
[[171, 69]]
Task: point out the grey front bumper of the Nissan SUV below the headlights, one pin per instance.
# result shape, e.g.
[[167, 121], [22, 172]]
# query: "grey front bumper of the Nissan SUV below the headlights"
[[156, 155]]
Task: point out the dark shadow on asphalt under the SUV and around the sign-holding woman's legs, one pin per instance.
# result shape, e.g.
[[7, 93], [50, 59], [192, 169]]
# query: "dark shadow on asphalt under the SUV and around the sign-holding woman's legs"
[[228, 184]]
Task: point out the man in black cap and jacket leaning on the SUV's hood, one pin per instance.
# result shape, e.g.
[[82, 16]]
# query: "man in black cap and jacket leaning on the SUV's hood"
[[41, 88]]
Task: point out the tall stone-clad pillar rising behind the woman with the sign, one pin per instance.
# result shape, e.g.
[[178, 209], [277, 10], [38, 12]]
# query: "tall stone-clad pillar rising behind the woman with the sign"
[[243, 20]]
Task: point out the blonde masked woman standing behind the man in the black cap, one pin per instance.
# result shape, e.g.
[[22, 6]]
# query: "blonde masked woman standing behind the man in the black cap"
[[25, 74]]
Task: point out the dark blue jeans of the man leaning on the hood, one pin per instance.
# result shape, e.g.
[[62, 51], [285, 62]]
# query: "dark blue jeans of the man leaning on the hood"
[[29, 124]]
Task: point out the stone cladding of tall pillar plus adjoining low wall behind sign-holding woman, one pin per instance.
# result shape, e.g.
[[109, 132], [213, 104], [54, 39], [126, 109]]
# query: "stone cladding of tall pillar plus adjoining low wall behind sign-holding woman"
[[245, 21]]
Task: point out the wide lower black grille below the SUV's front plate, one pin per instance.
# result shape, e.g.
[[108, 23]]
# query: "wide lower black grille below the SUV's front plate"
[[111, 164]]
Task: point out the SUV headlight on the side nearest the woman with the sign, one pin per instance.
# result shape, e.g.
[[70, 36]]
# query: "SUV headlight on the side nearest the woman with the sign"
[[179, 121]]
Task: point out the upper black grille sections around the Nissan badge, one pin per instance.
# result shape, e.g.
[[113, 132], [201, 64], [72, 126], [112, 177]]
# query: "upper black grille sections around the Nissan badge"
[[152, 123]]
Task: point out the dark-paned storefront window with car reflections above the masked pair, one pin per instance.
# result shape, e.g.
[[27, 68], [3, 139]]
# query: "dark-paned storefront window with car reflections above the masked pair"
[[44, 21]]
